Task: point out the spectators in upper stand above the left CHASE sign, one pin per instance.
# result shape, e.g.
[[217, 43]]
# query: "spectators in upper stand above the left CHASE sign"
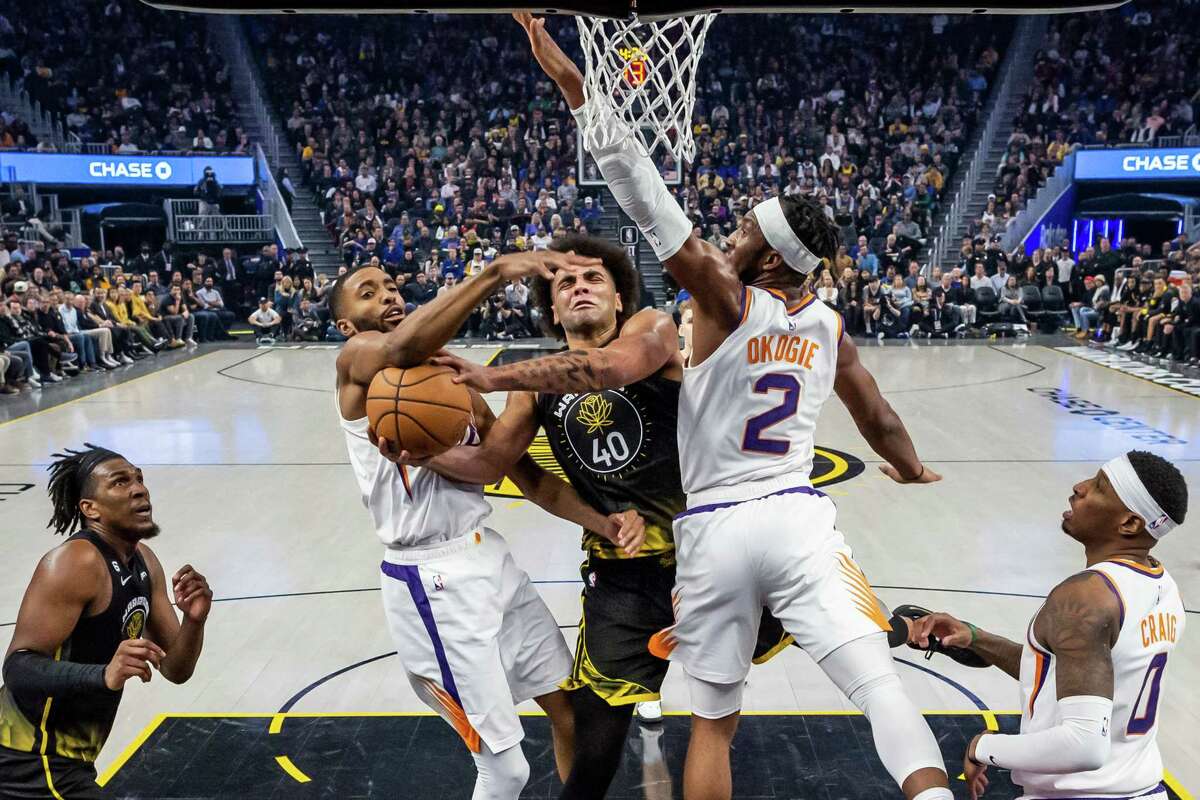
[[121, 73]]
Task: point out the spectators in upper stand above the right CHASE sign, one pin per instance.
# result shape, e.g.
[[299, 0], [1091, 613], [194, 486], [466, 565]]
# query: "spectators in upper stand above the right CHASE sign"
[[1101, 80]]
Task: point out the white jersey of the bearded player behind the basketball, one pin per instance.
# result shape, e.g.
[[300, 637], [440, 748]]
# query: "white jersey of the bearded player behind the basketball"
[[411, 507]]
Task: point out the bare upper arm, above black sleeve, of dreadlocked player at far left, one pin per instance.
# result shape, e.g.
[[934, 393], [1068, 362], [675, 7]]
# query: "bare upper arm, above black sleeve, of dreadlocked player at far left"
[[56, 600]]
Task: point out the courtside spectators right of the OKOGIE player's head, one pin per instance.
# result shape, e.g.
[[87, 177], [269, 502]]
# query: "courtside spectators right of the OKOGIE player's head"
[[1126, 296]]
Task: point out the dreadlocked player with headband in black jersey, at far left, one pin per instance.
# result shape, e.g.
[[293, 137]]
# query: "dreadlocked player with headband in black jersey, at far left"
[[97, 615]]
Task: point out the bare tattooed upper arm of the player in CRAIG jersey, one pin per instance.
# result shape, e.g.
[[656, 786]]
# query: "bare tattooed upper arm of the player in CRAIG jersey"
[[1079, 625]]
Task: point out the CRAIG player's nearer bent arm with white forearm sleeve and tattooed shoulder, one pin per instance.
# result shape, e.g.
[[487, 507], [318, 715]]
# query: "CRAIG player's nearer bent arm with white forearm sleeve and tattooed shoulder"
[[1079, 625]]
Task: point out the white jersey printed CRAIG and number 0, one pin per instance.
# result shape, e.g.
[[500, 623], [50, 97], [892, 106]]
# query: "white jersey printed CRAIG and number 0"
[[1151, 625]]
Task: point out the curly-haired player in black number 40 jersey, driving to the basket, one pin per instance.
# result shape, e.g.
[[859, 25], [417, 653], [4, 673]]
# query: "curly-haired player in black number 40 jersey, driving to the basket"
[[609, 407]]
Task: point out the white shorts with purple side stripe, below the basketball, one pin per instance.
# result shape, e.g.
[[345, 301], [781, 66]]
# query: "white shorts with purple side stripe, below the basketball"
[[473, 635]]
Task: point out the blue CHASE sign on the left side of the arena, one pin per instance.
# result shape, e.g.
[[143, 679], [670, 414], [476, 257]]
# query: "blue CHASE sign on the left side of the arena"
[[67, 170]]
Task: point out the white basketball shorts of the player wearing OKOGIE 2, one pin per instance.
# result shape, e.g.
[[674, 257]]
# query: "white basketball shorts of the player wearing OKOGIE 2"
[[781, 551]]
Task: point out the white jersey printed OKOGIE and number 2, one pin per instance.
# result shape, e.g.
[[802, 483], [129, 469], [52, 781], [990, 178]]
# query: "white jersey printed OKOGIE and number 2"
[[749, 412]]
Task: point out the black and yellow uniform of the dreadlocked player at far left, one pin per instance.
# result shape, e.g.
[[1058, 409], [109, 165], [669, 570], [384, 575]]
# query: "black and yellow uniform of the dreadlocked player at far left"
[[77, 727]]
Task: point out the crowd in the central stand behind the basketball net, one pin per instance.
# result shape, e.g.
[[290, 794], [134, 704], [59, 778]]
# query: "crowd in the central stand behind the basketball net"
[[455, 142]]
